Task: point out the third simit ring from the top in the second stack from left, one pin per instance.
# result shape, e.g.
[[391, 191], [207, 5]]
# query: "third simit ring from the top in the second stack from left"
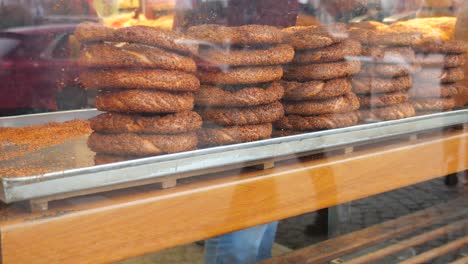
[[242, 75]]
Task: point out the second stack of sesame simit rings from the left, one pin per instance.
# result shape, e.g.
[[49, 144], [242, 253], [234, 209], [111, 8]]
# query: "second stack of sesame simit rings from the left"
[[240, 69]]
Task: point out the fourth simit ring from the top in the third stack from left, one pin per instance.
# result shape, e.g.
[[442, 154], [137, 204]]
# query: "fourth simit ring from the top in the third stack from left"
[[313, 90]]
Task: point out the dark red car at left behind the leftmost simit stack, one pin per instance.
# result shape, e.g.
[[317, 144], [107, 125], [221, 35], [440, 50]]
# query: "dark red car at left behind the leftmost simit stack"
[[36, 63]]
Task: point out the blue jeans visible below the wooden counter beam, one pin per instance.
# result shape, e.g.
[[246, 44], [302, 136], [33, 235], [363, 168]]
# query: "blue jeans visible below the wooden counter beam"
[[246, 246]]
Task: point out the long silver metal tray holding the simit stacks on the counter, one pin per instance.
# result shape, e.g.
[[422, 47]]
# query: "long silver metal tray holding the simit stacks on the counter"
[[83, 176]]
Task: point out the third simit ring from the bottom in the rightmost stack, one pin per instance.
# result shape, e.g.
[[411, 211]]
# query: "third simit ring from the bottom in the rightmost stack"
[[438, 75]]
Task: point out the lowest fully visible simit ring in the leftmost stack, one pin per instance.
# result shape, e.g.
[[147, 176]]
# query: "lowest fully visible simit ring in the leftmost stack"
[[141, 145]]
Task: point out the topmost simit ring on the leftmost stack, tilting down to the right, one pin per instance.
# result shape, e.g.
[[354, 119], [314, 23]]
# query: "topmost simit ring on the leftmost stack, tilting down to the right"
[[153, 36]]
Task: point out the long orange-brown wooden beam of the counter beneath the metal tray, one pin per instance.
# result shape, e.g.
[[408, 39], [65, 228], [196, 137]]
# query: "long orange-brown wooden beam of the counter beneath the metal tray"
[[117, 225]]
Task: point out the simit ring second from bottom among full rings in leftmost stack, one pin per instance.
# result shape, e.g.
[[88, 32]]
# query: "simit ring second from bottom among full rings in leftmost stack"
[[161, 124]]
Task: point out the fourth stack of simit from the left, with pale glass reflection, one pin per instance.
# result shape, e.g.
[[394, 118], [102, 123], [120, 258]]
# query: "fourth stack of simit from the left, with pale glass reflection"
[[383, 83]]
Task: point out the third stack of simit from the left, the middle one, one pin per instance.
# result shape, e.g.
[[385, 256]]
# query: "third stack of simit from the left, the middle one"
[[318, 92]]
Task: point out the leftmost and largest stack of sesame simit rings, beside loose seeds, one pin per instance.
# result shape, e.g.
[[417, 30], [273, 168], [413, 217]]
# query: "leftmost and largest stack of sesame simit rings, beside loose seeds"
[[146, 82]]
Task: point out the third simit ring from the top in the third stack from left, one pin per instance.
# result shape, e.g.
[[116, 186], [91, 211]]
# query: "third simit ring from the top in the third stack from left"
[[321, 71]]
